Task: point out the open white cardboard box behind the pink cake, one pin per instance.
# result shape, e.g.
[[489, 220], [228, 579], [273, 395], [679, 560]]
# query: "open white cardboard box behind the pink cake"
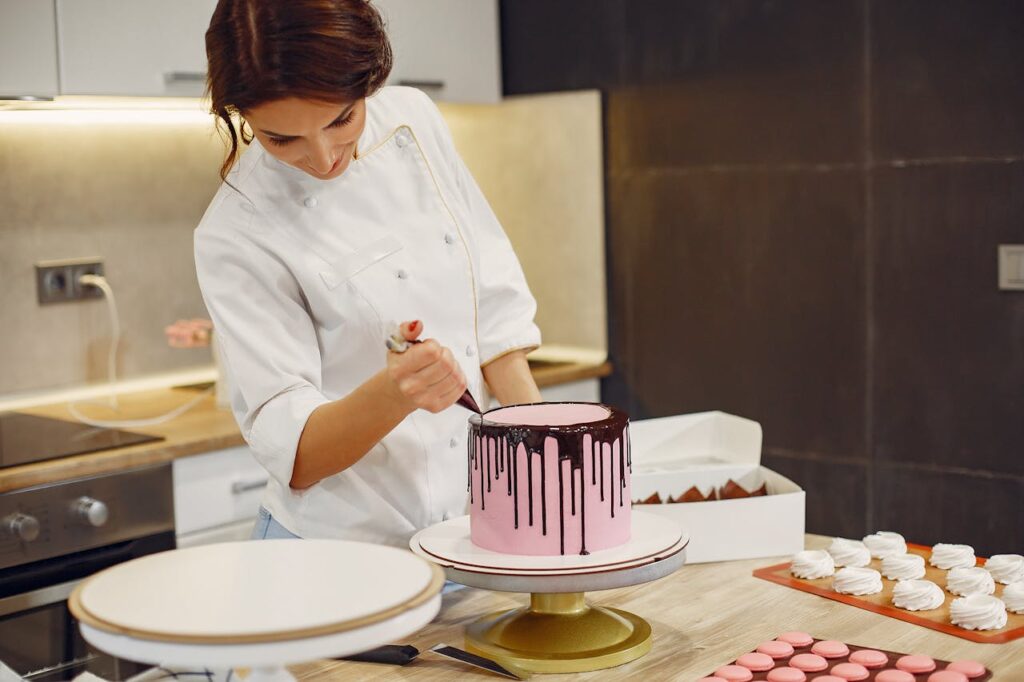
[[671, 454]]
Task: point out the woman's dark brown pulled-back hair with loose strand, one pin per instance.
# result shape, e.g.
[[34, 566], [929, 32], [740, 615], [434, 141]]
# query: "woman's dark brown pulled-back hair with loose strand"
[[263, 51]]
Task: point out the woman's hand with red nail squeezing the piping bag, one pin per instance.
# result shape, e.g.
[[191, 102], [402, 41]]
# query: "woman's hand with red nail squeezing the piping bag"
[[426, 376]]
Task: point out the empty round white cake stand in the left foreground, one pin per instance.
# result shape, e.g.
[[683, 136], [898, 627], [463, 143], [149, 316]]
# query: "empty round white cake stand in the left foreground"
[[258, 605]]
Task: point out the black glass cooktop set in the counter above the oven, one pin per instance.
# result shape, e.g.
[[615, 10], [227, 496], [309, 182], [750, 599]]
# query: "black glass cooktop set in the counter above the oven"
[[26, 439]]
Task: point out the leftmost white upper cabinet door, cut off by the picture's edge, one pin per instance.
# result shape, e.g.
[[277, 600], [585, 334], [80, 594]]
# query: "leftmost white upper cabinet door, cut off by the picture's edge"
[[28, 50]]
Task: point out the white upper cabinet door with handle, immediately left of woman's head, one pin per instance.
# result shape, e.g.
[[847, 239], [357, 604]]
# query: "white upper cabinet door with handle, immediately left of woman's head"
[[134, 48]]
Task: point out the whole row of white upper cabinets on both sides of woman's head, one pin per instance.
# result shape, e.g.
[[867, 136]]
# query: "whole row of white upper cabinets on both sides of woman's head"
[[449, 49]]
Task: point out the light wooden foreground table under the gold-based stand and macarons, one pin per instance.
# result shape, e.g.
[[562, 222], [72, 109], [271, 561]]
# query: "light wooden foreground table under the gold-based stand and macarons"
[[704, 617]]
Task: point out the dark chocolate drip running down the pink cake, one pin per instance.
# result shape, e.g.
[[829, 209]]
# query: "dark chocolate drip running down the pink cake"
[[571, 439]]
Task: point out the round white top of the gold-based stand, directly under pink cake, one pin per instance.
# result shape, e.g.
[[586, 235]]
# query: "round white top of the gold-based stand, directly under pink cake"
[[657, 548]]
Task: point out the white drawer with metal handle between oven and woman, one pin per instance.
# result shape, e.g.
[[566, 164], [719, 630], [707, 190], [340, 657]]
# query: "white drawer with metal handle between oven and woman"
[[217, 489]]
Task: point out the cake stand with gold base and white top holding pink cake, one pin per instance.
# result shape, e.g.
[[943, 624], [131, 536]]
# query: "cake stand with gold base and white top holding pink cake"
[[560, 632]]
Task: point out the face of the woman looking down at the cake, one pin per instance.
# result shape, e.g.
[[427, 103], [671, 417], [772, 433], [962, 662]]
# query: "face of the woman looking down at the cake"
[[317, 138]]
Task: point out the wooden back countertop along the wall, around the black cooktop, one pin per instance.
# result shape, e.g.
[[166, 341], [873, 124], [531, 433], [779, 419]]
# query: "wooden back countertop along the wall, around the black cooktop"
[[204, 429]]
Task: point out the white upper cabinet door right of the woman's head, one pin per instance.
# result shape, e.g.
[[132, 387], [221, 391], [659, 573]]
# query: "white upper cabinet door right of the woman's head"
[[449, 49]]
